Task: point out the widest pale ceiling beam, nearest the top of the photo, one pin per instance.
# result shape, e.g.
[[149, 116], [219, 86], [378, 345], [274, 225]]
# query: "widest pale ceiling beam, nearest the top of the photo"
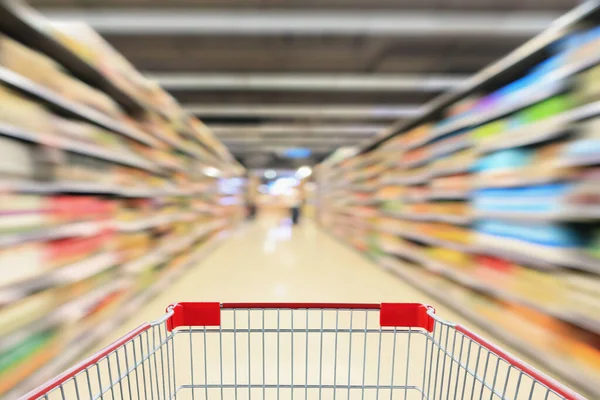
[[267, 22]]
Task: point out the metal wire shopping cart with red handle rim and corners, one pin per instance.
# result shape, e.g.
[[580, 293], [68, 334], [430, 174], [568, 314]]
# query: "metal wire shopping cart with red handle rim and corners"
[[301, 351]]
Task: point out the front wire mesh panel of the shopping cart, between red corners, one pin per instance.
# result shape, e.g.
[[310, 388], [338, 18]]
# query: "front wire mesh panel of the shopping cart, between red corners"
[[301, 354]]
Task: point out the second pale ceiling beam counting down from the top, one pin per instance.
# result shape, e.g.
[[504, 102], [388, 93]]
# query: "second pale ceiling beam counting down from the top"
[[308, 82]]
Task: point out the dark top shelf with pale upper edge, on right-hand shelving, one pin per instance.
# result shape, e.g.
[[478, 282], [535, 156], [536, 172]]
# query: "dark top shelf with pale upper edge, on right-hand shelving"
[[495, 74]]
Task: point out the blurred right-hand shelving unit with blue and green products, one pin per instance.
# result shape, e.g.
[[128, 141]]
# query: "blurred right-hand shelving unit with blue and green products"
[[476, 199]]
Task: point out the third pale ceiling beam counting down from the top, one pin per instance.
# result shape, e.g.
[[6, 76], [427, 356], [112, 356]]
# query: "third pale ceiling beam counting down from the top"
[[324, 111]]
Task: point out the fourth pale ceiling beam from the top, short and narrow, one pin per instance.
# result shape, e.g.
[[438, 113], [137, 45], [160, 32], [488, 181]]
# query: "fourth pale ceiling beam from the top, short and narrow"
[[223, 131]]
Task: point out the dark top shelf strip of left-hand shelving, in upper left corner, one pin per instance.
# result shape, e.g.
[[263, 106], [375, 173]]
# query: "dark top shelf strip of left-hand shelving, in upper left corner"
[[21, 23]]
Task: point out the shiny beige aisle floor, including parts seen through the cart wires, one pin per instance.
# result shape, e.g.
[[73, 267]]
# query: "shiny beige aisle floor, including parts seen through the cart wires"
[[270, 261]]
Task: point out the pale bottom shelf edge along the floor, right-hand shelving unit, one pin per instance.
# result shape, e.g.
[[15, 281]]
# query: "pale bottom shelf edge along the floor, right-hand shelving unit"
[[555, 363]]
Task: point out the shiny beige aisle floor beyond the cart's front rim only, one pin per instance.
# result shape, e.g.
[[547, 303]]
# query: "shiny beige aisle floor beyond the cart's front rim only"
[[268, 260]]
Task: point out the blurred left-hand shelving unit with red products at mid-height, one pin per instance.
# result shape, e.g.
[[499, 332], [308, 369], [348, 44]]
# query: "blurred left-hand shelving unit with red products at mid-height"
[[109, 192]]
